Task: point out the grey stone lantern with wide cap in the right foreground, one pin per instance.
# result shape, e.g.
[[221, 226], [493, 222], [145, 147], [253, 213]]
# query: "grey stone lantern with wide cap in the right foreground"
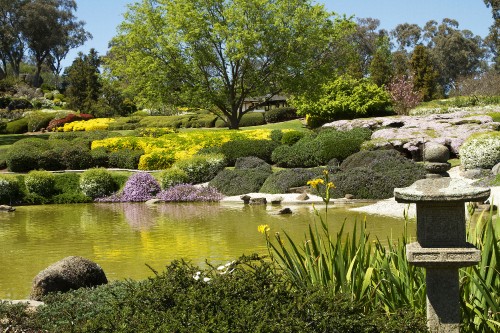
[[441, 245]]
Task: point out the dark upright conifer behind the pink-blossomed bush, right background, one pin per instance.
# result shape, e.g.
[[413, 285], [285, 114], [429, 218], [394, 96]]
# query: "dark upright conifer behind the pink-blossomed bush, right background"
[[424, 73]]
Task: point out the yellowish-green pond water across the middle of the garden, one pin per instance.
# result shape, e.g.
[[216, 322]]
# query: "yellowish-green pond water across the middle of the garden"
[[123, 238]]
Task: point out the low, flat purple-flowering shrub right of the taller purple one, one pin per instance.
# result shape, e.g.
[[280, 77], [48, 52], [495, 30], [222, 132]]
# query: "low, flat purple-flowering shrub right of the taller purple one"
[[189, 193]]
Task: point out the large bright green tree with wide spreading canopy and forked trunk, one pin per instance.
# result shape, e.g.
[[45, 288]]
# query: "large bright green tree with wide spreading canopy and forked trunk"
[[214, 54]]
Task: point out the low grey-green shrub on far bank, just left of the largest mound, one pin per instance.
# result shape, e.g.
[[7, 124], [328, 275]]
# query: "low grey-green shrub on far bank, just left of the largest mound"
[[281, 181]]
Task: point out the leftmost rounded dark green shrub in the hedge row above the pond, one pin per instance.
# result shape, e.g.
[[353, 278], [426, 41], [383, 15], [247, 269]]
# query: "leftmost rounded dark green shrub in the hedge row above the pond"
[[24, 154]]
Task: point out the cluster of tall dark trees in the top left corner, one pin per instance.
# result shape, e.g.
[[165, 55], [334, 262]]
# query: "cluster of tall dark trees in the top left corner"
[[40, 32]]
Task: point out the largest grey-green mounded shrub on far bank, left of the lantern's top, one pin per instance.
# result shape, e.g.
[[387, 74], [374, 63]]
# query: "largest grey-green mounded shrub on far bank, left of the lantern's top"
[[375, 174]]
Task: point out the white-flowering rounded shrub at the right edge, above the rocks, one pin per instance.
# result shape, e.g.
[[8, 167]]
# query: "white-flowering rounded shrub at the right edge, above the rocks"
[[481, 151]]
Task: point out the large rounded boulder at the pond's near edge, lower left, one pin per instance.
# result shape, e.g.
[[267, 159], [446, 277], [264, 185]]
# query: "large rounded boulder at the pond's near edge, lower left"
[[69, 273]]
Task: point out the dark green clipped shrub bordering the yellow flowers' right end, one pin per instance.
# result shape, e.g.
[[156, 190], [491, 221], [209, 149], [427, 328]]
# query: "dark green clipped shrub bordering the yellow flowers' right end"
[[242, 148]]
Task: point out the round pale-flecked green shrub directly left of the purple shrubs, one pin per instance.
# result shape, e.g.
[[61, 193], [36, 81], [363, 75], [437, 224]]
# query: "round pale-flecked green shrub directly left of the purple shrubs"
[[97, 183]]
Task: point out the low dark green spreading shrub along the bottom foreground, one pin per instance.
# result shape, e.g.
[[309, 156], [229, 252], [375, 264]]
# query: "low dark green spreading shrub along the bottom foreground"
[[251, 298]]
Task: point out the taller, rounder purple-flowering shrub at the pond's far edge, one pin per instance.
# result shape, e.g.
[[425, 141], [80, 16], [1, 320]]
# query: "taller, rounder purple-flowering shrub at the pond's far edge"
[[141, 186]]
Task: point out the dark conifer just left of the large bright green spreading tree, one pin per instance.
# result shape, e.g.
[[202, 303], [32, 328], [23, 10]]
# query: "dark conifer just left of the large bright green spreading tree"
[[84, 86]]
